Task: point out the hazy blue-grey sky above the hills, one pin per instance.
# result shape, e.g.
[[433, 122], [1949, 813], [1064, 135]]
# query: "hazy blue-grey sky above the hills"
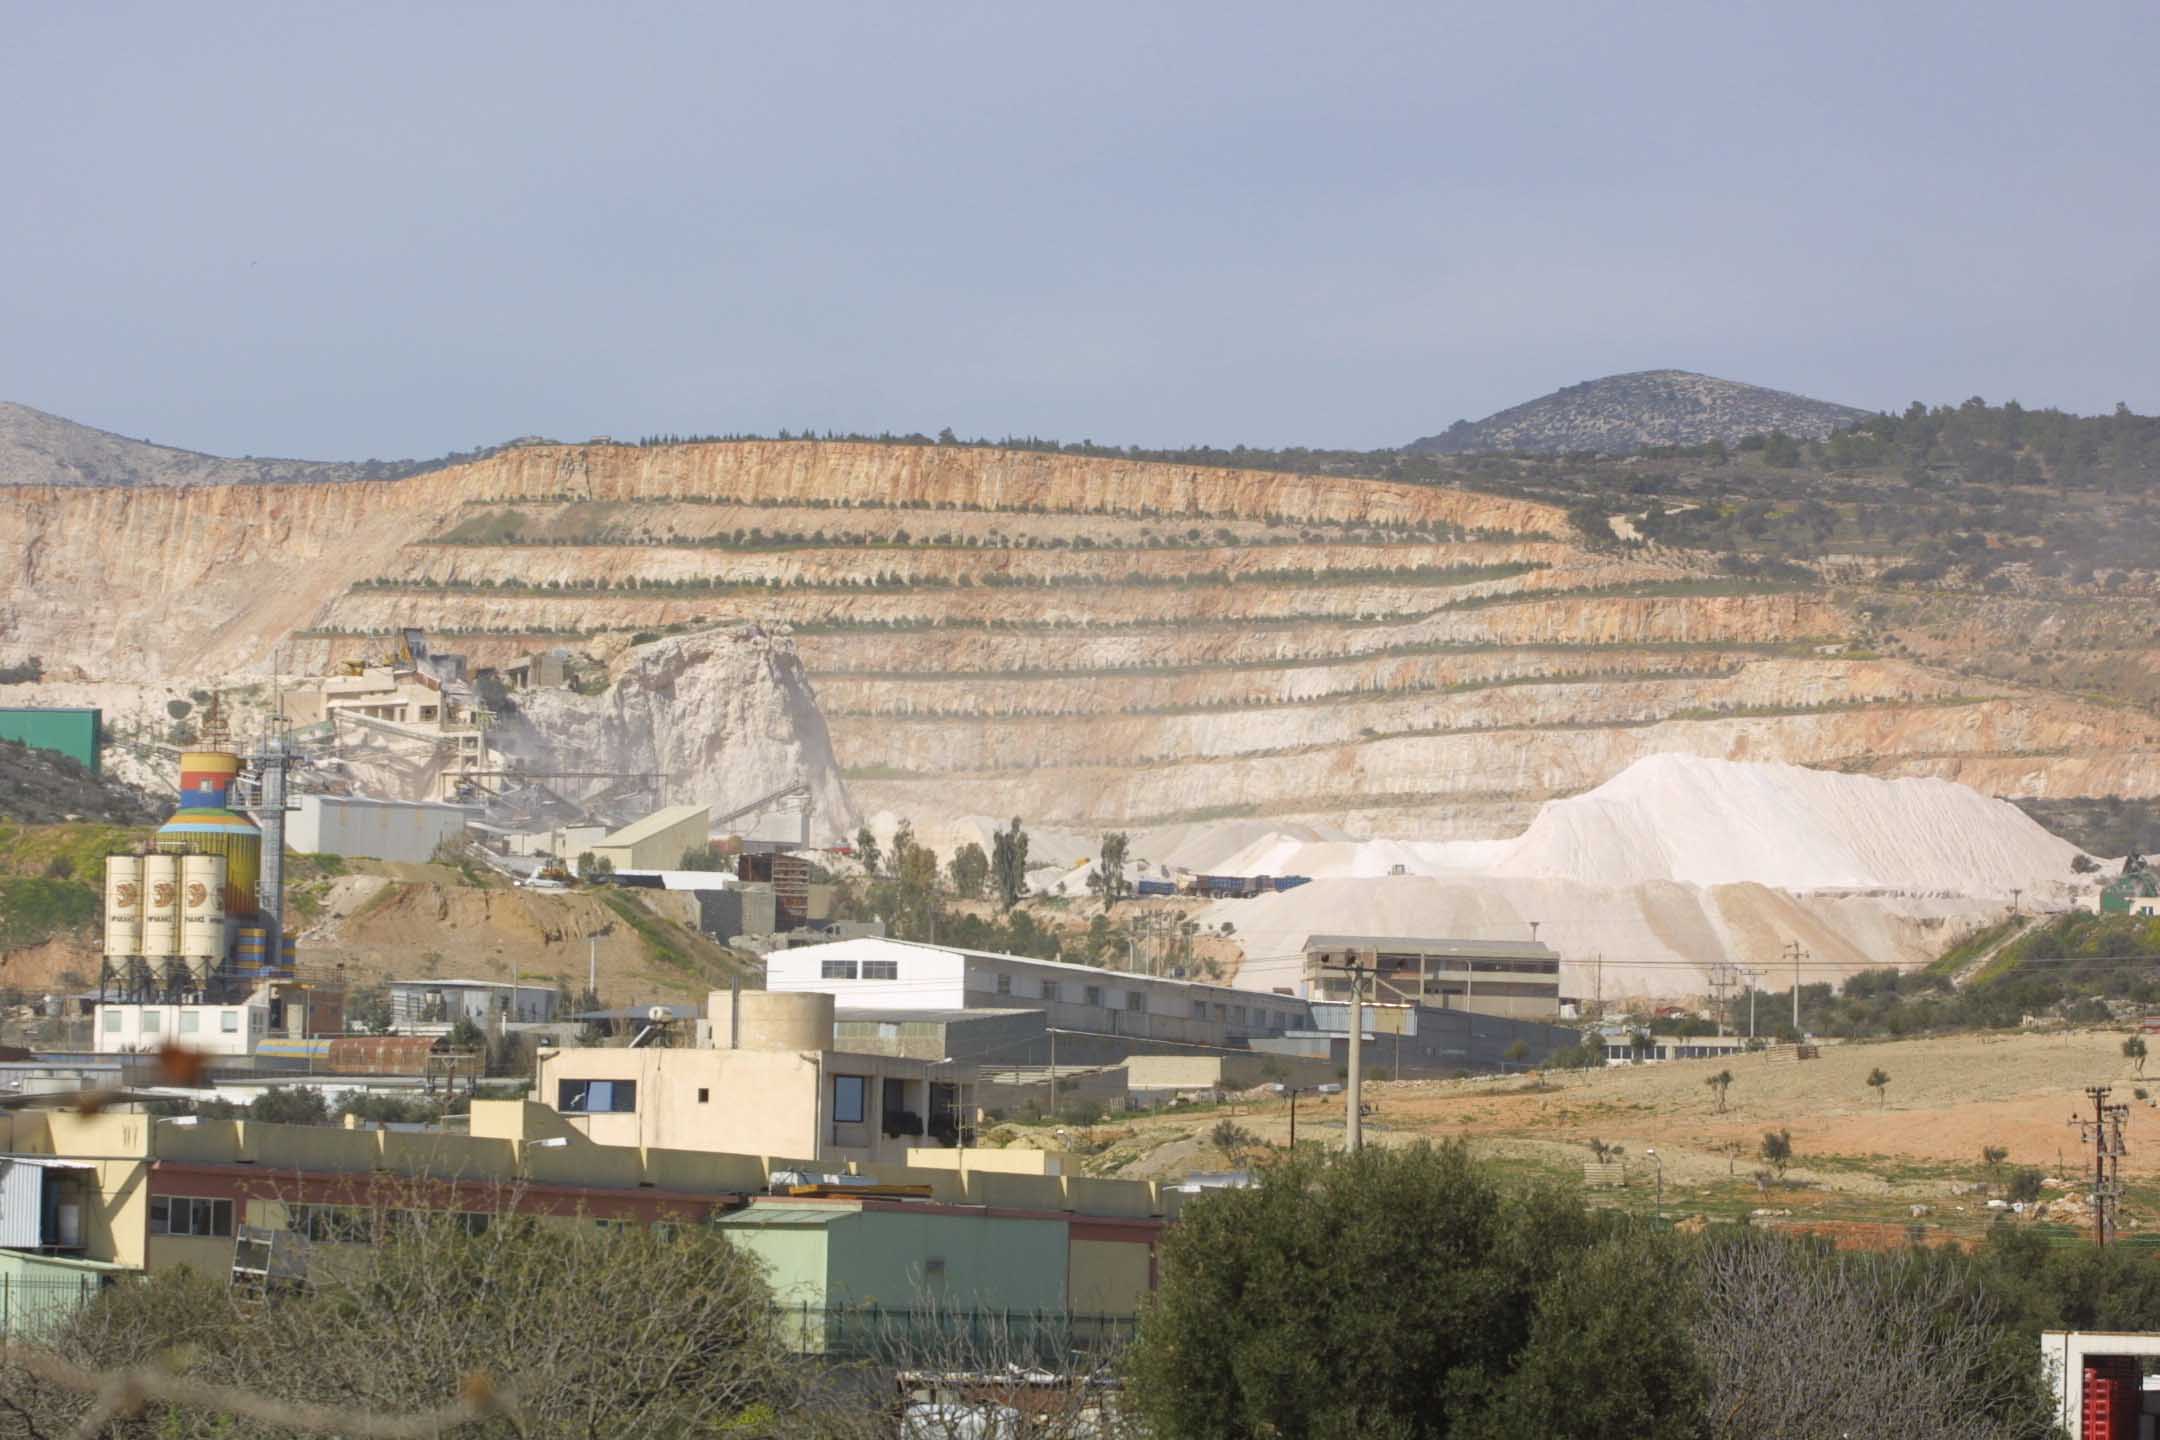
[[399, 230]]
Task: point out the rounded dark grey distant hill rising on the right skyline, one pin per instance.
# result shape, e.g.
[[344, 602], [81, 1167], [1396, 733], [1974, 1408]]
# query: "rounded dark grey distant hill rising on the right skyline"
[[1651, 407]]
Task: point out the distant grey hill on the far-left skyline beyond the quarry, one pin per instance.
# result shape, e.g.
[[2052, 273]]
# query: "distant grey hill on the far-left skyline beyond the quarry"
[[46, 450]]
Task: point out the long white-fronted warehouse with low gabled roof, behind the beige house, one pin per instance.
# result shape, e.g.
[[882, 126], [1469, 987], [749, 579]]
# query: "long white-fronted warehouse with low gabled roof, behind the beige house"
[[897, 975]]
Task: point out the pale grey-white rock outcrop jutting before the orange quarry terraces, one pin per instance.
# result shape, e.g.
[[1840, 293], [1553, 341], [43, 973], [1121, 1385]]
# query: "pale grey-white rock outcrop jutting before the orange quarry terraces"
[[727, 716]]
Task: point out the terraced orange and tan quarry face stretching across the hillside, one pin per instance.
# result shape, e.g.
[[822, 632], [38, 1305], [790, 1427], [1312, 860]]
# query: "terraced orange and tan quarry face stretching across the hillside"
[[1090, 642]]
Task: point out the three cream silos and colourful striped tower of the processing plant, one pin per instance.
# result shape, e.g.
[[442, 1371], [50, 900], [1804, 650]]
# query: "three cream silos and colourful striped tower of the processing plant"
[[198, 914]]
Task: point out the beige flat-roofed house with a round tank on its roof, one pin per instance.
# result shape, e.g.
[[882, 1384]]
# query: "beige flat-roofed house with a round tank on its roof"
[[764, 1081]]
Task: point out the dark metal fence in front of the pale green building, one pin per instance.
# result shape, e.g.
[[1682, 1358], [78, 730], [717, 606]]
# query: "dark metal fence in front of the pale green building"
[[936, 1335]]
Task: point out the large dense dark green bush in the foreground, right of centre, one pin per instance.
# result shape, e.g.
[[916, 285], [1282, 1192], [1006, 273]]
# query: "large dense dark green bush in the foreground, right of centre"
[[1297, 1309]]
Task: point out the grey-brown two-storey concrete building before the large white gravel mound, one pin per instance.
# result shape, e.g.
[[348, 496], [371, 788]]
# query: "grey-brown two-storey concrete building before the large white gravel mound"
[[1487, 977]]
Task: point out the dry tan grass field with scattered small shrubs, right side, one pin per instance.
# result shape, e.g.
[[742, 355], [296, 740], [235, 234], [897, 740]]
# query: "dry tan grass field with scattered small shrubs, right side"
[[1859, 1160]]
